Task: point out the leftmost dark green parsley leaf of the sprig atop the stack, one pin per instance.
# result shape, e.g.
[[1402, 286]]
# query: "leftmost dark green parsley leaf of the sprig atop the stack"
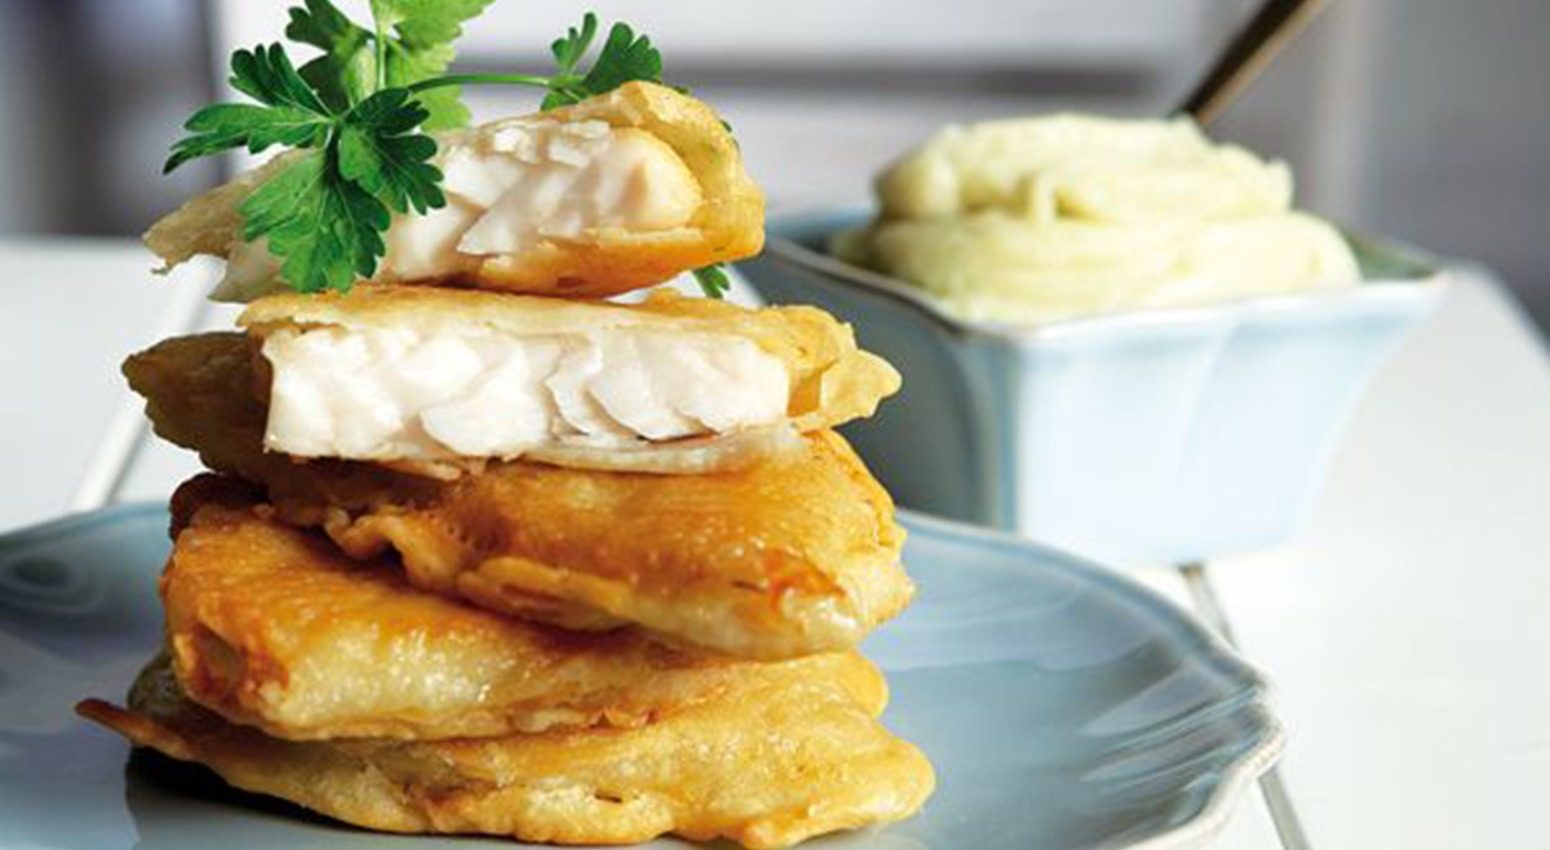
[[292, 114]]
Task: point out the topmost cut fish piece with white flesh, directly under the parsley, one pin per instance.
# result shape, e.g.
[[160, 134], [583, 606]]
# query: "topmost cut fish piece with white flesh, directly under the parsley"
[[615, 193]]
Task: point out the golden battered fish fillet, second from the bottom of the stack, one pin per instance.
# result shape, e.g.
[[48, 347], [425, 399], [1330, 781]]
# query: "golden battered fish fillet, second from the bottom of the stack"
[[272, 627]]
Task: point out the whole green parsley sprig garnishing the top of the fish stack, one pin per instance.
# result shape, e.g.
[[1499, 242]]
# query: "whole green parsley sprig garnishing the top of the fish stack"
[[359, 117]]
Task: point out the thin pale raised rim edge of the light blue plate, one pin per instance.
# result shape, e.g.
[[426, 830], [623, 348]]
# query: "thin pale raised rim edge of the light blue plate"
[[1227, 793]]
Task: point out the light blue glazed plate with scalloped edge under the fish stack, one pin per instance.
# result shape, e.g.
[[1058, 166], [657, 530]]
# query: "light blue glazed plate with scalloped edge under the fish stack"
[[1064, 707]]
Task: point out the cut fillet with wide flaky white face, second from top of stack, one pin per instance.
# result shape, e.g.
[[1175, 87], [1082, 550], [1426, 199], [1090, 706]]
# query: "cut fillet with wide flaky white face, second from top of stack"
[[435, 376]]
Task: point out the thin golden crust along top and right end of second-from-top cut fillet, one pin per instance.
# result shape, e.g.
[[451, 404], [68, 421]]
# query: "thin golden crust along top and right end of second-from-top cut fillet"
[[833, 381]]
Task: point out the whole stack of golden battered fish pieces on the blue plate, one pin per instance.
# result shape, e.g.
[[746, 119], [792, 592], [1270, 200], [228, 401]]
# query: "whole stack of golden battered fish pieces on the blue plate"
[[481, 555]]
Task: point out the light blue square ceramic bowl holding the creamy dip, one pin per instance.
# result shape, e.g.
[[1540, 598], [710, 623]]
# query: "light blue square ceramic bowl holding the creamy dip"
[[1135, 438]]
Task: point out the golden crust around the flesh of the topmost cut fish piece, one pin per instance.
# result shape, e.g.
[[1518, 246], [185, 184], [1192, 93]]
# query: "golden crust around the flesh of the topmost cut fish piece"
[[728, 226]]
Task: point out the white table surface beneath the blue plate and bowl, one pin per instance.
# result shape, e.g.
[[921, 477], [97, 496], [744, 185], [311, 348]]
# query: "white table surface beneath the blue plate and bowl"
[[1407, 626]]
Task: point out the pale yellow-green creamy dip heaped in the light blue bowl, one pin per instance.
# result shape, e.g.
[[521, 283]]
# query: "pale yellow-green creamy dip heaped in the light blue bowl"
[[1044, 219]]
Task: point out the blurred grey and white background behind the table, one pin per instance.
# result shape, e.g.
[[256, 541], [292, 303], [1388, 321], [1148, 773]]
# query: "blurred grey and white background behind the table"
[[1425, 120]]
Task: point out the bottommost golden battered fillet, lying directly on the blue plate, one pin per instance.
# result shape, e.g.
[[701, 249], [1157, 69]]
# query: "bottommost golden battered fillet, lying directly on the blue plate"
[[776, 761]]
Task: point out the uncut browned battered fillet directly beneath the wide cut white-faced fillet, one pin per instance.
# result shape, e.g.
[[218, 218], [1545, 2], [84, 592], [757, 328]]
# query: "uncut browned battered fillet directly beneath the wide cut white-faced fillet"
[[793, 556]]
